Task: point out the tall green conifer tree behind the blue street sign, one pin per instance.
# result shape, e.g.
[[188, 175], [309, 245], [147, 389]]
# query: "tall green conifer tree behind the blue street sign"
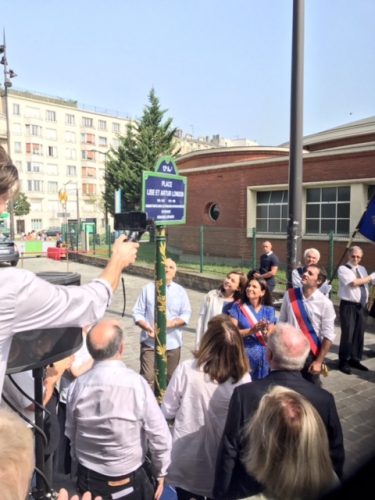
[[144, 142]]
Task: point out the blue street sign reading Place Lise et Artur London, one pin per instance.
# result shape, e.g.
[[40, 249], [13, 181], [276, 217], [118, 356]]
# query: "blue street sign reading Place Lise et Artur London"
[[164, 194]]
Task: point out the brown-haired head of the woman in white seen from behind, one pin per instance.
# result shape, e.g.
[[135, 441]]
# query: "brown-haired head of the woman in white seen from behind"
[[221, 353]]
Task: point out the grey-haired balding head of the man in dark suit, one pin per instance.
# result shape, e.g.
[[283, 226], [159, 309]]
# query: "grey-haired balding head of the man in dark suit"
[[289, 348]]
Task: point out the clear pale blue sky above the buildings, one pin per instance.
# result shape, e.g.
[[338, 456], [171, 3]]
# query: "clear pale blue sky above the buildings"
[[218, 66]]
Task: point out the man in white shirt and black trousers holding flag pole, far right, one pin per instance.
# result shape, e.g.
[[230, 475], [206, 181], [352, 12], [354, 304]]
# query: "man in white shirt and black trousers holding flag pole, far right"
[[353, 292]]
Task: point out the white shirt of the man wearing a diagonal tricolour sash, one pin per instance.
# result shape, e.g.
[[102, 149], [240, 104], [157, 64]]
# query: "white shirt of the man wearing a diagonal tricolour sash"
[[320, 311]]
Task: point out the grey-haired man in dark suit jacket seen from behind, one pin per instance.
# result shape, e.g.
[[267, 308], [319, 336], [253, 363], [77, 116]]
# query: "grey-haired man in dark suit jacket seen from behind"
[[287, 350]]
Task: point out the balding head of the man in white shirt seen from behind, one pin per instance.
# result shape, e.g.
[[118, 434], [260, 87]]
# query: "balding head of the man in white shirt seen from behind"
[[104, 340]]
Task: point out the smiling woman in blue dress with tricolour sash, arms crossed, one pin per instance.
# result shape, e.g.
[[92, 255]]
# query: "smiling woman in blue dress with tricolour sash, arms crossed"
[[254, 315]]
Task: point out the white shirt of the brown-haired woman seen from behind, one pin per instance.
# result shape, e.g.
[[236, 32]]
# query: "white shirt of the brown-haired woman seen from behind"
[[200, 409]]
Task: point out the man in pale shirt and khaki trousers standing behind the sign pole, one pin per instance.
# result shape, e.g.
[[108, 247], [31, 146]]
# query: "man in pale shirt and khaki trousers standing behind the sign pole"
[[178, 315]]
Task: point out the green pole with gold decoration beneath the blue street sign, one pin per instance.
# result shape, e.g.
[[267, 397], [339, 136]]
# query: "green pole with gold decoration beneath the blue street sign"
[[160, 315]]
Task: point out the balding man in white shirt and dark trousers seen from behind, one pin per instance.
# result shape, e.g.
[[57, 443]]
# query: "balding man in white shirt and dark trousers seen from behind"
[[112, 420]]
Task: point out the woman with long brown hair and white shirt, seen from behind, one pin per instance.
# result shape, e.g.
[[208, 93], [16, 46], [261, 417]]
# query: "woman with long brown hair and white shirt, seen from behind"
[[197, 397]]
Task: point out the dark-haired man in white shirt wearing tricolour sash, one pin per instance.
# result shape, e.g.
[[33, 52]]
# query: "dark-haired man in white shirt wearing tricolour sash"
[[311, 312]]
